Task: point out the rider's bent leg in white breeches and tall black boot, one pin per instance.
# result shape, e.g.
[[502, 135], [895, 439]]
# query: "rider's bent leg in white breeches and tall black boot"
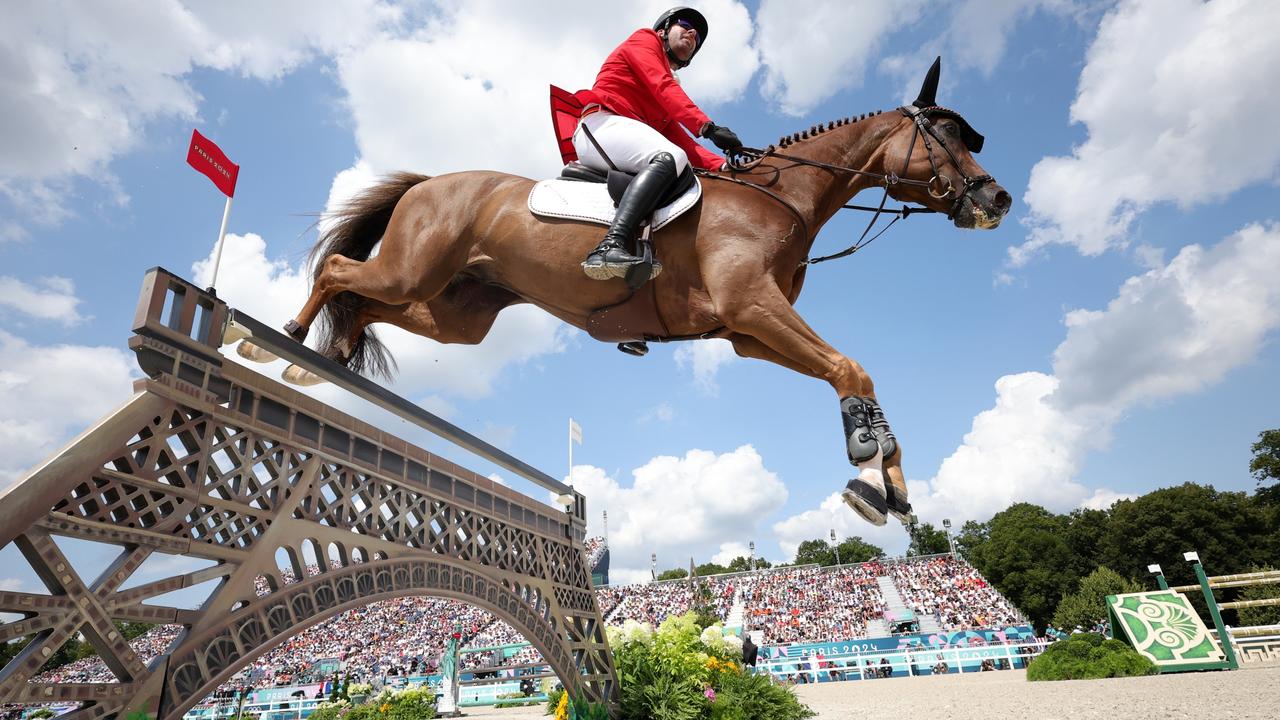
[[634, 148]]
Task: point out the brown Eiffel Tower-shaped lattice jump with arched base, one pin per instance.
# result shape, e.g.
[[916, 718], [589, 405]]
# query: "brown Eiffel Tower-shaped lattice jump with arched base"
[[212, 461]]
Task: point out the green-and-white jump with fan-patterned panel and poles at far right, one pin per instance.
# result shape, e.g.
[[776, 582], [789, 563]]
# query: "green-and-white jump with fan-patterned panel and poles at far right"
[[1165, 627]]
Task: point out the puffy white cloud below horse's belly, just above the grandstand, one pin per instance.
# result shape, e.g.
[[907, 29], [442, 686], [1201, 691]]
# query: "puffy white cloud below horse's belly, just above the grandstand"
[[680, 507]]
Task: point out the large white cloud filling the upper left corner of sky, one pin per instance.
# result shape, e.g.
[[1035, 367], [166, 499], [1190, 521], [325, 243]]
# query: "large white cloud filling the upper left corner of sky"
[[83, 81]]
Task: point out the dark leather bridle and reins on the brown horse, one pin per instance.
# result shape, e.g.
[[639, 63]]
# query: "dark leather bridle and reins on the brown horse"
[[939, 186]]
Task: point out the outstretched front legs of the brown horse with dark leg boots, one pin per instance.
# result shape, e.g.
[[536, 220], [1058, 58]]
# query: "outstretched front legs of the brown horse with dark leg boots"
[[766, 326]]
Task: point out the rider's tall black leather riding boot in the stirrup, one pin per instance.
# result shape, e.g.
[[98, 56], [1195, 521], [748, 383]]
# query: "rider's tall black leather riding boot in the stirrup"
[[611, 258]]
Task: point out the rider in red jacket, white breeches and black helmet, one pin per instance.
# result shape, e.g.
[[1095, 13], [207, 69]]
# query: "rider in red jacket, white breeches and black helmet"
[[637, 115]]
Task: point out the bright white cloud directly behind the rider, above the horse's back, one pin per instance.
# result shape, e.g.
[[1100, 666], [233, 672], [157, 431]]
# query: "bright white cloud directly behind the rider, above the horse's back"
[[477, 97]]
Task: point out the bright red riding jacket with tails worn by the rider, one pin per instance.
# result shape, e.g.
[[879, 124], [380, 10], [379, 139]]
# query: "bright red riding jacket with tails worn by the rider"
[[637, 83]]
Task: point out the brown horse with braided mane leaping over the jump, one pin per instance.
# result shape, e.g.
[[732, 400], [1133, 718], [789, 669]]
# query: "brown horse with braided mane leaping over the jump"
[[458, 249]]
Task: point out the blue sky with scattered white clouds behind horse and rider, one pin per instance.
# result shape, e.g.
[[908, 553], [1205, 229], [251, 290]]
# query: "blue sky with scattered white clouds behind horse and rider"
[[1116, 335]]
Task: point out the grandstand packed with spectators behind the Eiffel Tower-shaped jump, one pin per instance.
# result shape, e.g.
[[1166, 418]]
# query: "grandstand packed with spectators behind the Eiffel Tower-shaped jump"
[[787, 605]]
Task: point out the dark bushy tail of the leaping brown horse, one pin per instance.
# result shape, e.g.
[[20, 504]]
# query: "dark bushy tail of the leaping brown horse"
[[356, 229]]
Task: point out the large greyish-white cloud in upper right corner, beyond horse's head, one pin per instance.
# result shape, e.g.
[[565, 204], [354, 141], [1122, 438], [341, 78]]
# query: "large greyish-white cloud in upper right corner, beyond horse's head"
[[1171, 97]]
